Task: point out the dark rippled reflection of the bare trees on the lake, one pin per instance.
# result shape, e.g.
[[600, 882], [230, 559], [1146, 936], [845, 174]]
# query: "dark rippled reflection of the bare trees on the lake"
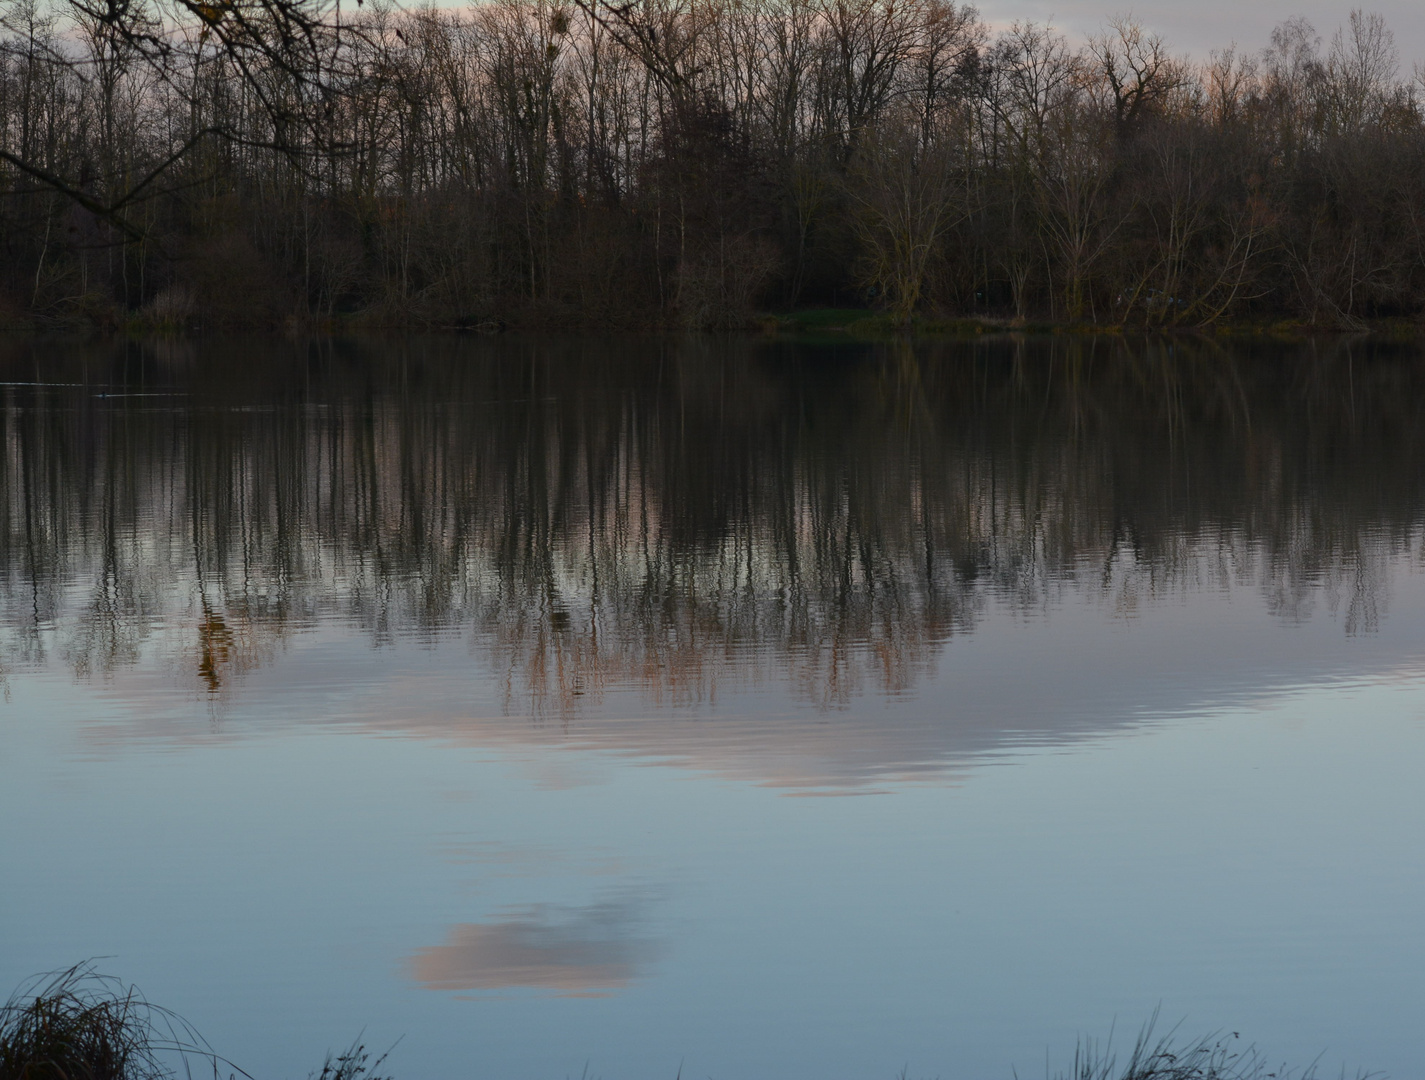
[[683, 516]]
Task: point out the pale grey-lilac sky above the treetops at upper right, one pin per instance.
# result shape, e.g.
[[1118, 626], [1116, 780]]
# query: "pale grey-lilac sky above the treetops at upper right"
[[1205, 25]]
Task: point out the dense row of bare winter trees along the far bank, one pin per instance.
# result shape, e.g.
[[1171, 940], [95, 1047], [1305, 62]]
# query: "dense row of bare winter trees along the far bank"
[[692, 162]]
